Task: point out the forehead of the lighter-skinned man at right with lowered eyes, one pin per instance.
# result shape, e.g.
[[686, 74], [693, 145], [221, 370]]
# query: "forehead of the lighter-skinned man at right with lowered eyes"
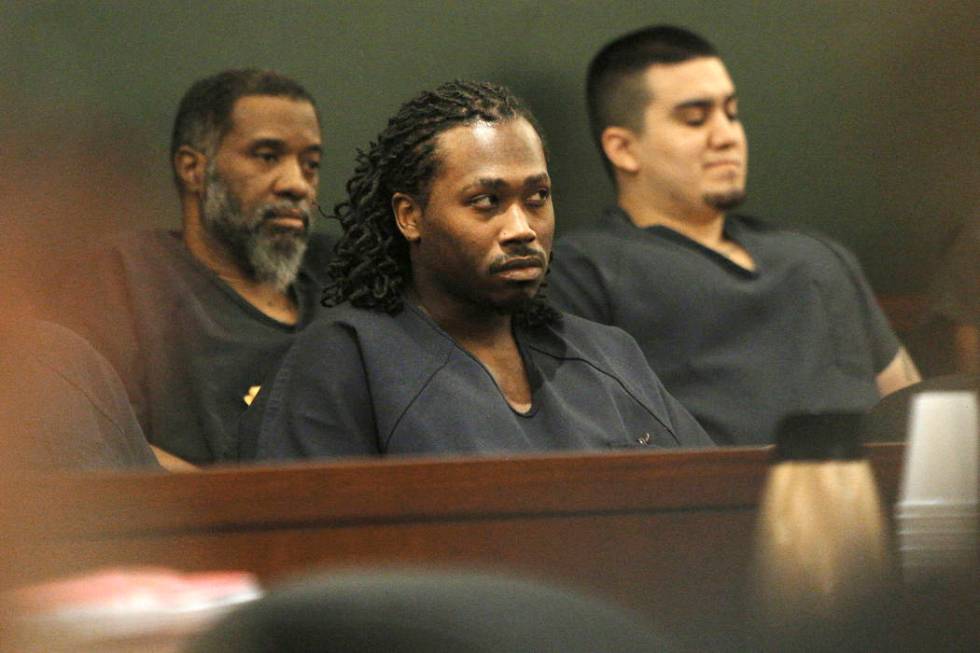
[[701, 78]]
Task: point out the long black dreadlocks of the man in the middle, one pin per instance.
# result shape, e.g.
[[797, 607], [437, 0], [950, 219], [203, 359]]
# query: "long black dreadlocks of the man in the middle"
[[371, 265]]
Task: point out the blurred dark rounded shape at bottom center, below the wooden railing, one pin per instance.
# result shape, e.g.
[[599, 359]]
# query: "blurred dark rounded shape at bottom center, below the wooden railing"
[[409, 611]]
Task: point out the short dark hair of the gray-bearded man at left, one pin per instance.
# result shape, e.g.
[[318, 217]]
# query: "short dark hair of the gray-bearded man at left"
[[204, 114]]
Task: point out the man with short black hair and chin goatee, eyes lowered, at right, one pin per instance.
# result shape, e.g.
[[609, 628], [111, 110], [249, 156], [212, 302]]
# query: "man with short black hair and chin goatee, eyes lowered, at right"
[[745, 323]]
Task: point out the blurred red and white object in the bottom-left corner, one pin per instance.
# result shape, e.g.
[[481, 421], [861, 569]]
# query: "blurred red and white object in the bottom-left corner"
[[125, 609]]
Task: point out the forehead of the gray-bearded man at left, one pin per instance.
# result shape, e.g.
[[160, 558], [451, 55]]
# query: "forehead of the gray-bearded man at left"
[[272, 117]]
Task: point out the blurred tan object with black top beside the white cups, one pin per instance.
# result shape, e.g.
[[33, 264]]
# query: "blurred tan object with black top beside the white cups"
[[822, 566]]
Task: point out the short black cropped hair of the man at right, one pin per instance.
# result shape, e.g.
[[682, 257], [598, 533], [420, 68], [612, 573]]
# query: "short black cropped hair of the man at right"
[[615, 90]]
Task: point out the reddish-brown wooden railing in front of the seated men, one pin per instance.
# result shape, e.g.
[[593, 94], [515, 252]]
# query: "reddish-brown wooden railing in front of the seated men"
[[667, 534]]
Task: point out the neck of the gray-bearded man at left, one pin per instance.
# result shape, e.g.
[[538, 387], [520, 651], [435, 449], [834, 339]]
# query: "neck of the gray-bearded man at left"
[[264, 296]]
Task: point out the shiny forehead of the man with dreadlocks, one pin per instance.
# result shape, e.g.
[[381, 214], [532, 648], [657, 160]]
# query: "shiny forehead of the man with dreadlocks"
[[509, 150]]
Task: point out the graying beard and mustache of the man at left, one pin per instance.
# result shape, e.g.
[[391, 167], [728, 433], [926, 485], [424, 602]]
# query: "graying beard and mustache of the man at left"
[[266, 254]]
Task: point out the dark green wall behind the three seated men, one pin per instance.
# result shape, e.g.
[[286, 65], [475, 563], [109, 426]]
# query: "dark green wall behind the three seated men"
[[861, 115]]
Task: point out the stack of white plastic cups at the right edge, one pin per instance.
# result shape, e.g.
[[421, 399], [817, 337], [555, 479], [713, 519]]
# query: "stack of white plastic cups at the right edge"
[[936, 517]]
